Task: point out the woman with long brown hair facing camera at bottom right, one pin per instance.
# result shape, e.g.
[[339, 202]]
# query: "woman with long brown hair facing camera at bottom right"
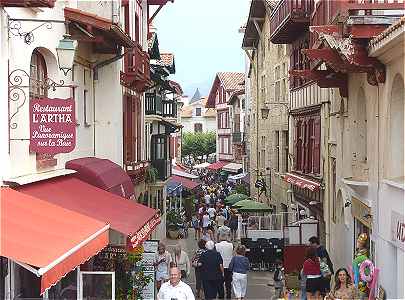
[[344, 288]]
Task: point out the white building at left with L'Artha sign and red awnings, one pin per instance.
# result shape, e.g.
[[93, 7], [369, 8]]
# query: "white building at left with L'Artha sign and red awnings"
[[103, 89]]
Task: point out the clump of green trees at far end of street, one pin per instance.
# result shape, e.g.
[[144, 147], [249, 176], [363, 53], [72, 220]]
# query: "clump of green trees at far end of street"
[[198, 144]]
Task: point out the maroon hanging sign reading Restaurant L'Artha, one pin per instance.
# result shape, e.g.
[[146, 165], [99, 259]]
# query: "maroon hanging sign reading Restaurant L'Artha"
[[52, 125]]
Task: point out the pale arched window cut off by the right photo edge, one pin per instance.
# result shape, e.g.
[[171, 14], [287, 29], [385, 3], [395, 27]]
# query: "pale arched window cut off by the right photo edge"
[[396, 129]]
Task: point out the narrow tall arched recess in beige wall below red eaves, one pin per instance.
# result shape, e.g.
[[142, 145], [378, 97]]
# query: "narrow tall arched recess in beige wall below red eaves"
[[361, 127]]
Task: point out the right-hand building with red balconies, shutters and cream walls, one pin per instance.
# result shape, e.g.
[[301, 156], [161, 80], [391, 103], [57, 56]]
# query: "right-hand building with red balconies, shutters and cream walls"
[[347, 77]]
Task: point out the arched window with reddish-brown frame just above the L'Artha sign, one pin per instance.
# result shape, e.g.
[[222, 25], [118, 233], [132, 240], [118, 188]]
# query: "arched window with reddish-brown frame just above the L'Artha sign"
[[38, 74]]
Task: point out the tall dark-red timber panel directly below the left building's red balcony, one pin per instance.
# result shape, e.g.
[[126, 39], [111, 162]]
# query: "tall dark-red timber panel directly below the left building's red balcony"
[[132, 130]]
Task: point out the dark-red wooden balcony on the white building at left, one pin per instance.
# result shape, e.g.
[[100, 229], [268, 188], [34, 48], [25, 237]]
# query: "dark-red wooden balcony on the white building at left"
[[136, 73]]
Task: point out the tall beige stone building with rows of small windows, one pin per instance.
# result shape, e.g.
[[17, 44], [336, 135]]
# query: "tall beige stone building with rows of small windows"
[[268, 110]]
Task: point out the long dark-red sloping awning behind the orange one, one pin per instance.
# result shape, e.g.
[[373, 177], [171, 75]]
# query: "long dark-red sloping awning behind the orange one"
[[128, 217]]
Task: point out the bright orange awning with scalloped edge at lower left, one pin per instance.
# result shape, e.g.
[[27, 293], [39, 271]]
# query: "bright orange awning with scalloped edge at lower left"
[[47, 239]]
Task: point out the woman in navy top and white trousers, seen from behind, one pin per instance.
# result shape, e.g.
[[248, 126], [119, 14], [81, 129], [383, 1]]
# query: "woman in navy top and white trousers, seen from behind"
[[239, 266]]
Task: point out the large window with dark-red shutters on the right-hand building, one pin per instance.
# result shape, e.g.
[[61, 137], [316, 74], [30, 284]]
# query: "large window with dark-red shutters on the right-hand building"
[[307, 143]]
